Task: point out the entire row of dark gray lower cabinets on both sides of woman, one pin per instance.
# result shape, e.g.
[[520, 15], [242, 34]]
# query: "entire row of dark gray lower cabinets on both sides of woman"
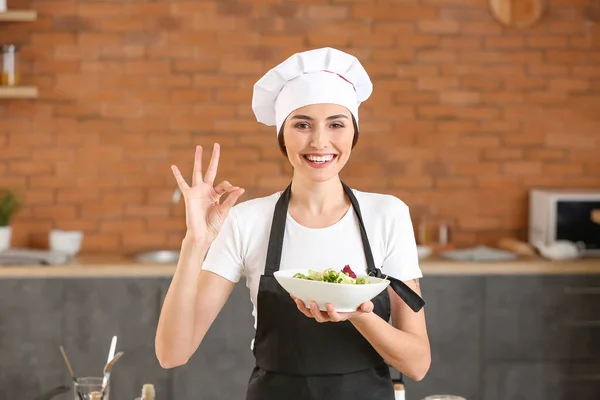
[[492, 338]]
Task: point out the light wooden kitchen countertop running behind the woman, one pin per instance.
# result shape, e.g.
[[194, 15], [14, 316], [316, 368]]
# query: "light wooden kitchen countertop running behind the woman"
[[120, 266]]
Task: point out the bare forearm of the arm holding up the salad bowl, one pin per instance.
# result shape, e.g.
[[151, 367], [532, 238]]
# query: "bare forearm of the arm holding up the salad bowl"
[[407, 352]]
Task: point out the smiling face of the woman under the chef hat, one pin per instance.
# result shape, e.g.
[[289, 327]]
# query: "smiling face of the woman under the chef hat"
[[318, 140]]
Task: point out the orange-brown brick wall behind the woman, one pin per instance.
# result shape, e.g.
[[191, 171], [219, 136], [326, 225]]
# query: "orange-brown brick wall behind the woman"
[[466, 115]]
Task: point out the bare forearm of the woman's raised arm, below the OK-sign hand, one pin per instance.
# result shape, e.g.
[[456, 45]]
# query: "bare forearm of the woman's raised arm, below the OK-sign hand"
[[175, 331]]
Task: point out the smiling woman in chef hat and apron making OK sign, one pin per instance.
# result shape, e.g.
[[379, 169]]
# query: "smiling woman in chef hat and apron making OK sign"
[[317, 222]]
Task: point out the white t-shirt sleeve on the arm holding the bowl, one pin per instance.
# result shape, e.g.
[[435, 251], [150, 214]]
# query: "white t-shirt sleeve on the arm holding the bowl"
[[402, 259]]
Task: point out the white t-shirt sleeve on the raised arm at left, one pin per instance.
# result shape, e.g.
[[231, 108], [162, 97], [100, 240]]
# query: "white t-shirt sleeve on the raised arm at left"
[[224, 257]]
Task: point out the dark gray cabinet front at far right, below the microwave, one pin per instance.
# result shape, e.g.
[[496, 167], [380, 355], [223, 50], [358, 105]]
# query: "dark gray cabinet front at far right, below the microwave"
[[532, 318]]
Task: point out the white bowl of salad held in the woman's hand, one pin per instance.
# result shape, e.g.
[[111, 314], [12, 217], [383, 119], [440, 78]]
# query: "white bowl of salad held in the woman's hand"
[[344, 297]]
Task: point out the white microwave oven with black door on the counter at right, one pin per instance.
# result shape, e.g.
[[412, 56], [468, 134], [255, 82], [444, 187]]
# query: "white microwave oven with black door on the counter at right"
[[565, 214]]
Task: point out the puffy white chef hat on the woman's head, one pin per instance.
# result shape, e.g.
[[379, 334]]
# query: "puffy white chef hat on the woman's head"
[[317, 76]]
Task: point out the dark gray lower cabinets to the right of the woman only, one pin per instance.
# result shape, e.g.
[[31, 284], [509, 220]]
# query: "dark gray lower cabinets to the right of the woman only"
[[498, 337]]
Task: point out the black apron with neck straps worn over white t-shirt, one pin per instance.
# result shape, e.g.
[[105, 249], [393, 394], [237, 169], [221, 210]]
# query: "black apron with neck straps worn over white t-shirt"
[[298, 358]]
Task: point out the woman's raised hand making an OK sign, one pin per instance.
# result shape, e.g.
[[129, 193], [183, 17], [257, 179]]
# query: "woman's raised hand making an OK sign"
[[204, 213]]
